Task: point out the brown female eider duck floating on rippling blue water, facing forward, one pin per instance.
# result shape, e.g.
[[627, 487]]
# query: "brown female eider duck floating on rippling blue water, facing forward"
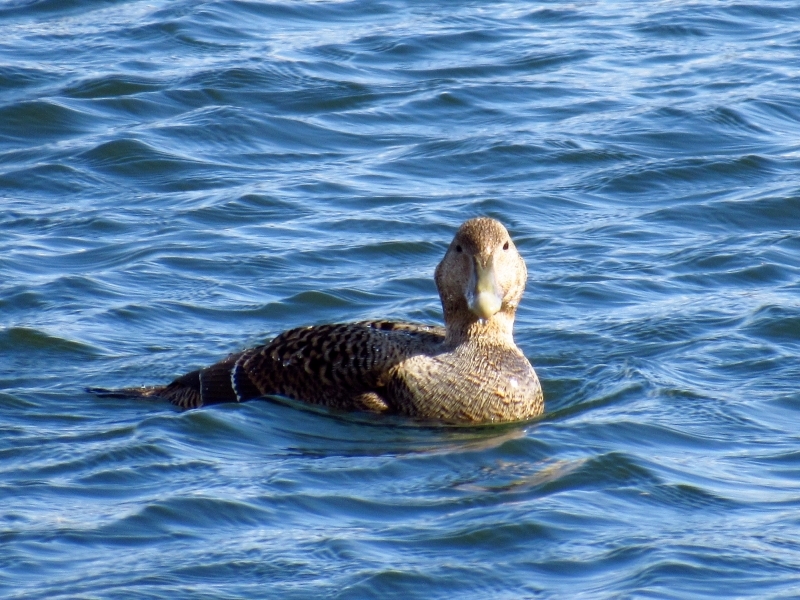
[[470, 371]]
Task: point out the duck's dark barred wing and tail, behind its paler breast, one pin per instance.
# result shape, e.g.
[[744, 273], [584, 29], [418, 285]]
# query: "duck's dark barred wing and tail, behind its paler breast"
[[340, 366]]
